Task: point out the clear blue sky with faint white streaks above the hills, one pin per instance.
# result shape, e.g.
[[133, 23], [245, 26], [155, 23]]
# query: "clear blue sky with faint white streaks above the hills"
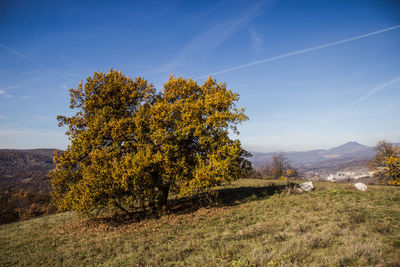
[[302, 88]]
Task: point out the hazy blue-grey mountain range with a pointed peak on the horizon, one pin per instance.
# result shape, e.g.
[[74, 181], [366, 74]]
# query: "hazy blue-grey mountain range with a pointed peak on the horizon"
[[348, 153]]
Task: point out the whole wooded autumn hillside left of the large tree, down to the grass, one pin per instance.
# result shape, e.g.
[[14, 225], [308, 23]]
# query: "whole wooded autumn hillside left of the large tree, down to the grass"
[[24, 183]]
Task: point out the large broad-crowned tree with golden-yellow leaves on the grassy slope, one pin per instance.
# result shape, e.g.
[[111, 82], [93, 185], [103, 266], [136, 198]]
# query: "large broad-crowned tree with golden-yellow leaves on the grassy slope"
[[131, 145]]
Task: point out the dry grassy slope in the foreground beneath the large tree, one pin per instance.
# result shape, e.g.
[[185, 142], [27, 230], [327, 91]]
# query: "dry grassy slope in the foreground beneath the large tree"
[[252, 223]]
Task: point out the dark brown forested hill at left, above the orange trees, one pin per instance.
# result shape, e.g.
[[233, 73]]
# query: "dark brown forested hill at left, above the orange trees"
[[27, 169]]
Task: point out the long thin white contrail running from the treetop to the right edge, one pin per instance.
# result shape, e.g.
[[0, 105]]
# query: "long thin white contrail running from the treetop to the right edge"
[[299, 52]]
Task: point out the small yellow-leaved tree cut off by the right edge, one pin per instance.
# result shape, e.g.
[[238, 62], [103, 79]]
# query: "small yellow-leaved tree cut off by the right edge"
[[386, 163]]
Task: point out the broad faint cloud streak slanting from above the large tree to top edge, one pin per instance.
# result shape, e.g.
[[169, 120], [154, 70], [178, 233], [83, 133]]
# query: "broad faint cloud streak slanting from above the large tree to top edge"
[[213, 37]]
